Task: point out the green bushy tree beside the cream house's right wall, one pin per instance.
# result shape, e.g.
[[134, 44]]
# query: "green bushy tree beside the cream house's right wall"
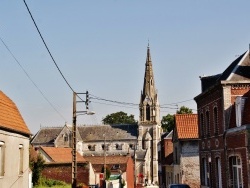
[[36, 165]]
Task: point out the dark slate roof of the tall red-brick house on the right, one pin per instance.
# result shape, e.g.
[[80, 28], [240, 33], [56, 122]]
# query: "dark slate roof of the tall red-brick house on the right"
[[238, 70]]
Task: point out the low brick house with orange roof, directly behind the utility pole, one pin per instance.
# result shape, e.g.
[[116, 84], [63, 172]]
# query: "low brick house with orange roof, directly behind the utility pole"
[[58, 165]]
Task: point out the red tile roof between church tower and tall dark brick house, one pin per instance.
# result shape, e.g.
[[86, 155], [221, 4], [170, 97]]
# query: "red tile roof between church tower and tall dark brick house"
[[186, 126]]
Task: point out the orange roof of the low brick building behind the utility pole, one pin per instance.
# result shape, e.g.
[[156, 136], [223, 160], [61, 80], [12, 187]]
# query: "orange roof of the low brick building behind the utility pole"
[[61, 155]]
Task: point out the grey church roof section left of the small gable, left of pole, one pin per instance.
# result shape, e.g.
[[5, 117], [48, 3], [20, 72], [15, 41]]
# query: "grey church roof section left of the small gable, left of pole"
[[46, 135]]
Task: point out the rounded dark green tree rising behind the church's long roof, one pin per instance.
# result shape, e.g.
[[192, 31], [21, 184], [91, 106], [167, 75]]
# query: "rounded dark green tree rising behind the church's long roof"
[[119, 118]]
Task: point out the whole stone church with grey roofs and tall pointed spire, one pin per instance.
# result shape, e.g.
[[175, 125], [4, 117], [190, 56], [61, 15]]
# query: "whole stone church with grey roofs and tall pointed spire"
[[139, 140]]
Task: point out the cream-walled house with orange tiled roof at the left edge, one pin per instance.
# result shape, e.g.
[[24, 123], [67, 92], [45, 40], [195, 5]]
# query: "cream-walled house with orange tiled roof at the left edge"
[[14, 146]]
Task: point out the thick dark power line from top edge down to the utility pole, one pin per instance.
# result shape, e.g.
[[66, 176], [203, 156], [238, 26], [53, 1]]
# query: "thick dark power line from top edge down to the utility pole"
[[47, 47]]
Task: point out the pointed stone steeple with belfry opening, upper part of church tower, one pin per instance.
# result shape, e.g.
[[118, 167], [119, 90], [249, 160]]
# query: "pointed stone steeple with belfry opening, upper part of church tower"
[[149, 107]]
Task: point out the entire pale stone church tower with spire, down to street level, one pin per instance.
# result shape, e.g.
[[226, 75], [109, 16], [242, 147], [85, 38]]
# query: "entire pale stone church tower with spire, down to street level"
[[149, 128]]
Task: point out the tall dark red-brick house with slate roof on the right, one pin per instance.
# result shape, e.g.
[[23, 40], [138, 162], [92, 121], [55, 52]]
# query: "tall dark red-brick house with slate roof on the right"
[[224, 123]]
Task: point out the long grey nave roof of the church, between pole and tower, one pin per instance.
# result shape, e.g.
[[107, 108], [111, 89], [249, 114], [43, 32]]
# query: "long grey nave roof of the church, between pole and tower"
[[112, 132]]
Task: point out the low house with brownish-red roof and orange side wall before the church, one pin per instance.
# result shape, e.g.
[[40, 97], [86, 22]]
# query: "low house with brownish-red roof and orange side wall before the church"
[[122, 166]]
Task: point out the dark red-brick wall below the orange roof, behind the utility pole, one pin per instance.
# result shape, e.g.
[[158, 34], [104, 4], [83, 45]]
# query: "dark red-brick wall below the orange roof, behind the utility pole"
[[62, 172]]
